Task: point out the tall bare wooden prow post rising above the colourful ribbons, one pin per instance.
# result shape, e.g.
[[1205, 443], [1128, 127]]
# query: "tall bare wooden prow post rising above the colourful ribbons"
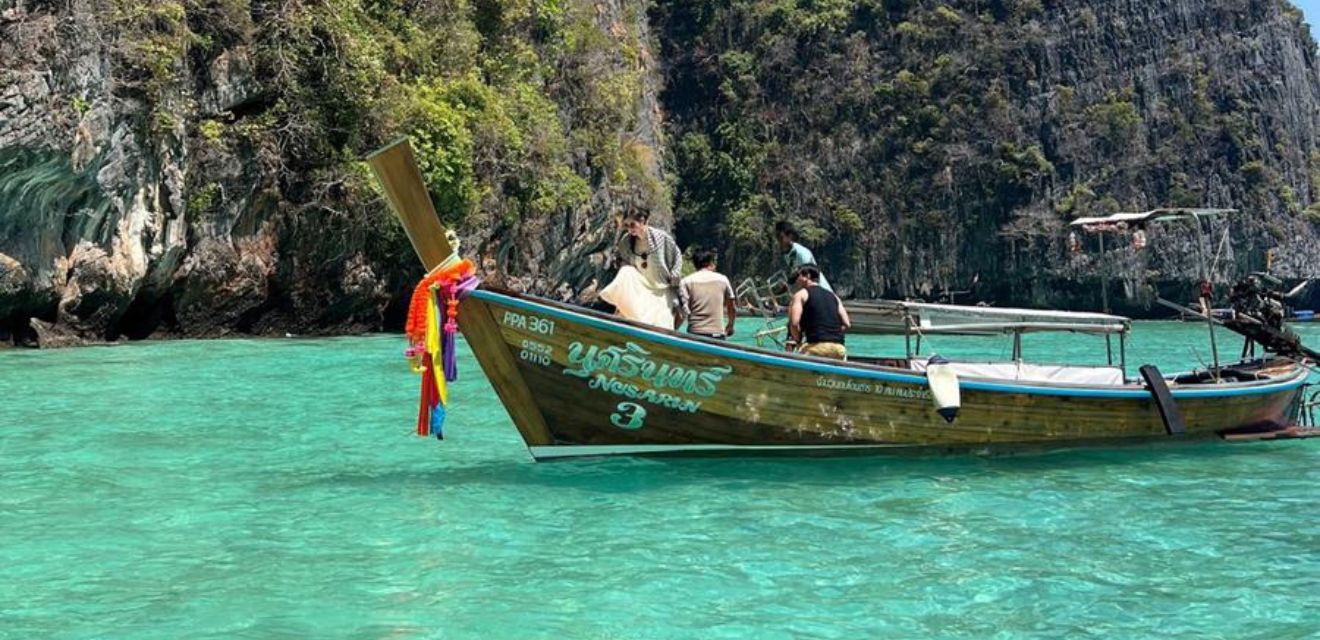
[[397, 171]]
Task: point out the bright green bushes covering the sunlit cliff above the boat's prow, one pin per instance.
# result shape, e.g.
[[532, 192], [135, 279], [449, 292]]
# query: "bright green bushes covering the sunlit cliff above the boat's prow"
[[515, 108]]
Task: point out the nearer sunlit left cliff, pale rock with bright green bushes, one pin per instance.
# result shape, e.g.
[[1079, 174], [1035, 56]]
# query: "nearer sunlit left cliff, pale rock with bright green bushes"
[[192, 168]]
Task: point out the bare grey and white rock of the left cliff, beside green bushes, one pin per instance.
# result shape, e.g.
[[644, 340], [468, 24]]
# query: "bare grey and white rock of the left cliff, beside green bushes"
[[100, 177]]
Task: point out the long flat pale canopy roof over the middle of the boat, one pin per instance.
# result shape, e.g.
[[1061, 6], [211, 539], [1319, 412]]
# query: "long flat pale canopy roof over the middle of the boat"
[[901, 319]]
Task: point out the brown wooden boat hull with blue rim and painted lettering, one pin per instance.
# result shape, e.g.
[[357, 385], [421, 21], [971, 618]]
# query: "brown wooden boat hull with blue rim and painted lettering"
[[580, 383]]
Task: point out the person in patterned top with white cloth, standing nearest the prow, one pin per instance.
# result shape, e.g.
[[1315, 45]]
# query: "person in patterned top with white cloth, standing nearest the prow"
[[646, 290]]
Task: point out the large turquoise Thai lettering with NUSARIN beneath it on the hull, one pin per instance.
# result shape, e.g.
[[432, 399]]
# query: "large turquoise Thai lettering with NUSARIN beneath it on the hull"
[[630, 371]]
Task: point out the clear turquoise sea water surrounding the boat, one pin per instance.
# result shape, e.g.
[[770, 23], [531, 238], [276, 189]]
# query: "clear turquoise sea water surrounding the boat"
[[274, 489]]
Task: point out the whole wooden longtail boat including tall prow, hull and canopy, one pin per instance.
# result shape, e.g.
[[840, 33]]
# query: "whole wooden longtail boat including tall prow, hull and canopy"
[[579, 382]]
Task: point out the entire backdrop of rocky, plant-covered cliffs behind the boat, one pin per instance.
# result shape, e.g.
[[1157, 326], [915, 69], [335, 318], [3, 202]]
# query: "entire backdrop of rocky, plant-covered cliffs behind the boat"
[[192, 168]]
